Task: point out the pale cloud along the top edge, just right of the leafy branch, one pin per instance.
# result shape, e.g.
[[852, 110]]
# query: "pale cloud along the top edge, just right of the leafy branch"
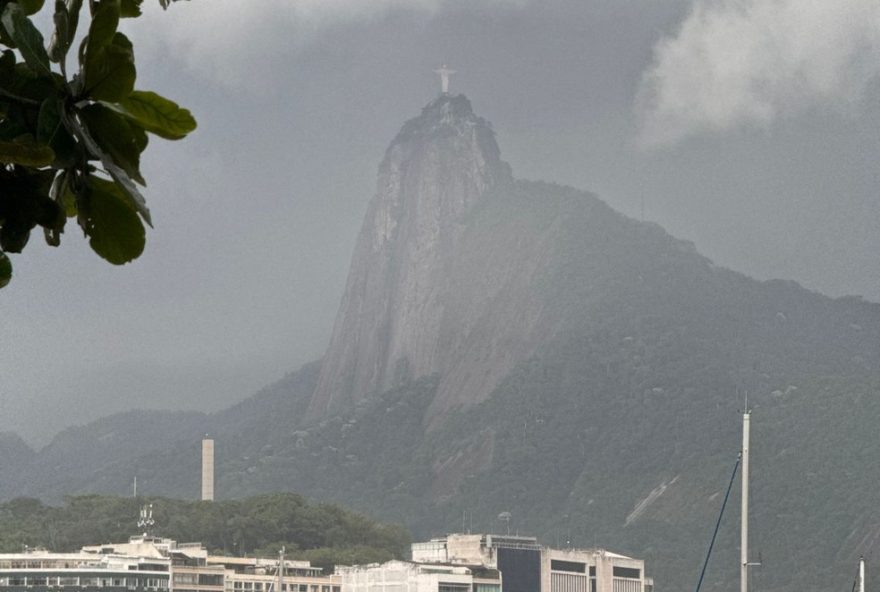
[[236, 42]]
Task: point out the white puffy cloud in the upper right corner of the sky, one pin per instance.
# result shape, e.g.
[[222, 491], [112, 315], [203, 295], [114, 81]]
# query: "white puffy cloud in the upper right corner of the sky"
[[748, 62]]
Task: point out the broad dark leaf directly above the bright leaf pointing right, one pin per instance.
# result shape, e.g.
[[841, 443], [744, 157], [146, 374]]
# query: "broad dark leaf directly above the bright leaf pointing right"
[[110, 73]]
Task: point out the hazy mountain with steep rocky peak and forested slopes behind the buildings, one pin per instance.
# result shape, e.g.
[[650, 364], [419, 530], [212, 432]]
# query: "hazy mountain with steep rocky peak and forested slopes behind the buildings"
[[509, 345]]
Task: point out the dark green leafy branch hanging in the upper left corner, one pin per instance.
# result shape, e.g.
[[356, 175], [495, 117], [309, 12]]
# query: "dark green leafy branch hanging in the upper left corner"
[[70, 145]]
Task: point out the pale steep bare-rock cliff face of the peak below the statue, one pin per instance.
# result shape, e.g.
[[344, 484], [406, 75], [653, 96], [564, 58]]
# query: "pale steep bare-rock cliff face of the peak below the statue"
[[393, 319]]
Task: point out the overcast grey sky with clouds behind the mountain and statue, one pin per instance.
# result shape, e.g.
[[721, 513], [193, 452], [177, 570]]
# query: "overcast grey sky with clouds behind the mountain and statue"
[[751, 127]]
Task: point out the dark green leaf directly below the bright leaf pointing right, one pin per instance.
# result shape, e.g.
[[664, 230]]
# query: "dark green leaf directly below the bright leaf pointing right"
[[120, 139]]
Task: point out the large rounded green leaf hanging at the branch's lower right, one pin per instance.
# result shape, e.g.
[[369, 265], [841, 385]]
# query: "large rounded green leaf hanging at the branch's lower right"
[[115, 231]]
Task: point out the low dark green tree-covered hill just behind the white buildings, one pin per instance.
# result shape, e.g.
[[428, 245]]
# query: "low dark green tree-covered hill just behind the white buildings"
[[325, 534]]
